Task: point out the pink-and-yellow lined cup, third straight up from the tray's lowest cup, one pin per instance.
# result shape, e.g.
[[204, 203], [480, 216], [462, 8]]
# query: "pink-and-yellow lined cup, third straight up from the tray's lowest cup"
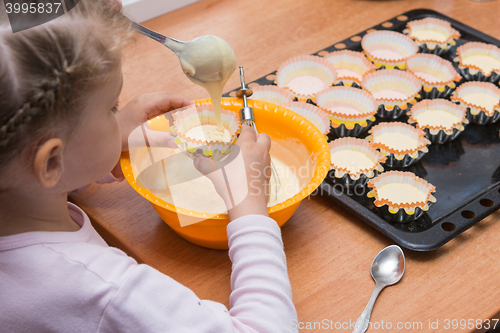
[[405, 87]]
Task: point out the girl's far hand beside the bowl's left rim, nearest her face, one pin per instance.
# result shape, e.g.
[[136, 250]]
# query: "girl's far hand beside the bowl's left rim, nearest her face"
[[145, 107]]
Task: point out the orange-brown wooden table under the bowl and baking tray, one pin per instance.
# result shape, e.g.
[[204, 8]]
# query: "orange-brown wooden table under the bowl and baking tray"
[[329, 251]]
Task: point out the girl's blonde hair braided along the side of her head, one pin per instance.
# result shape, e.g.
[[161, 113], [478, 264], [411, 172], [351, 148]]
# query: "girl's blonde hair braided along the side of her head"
[[47, 71]]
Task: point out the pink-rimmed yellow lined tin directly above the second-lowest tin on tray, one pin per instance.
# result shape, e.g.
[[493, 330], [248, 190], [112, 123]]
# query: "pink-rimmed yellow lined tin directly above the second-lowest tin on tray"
[[351, 110]]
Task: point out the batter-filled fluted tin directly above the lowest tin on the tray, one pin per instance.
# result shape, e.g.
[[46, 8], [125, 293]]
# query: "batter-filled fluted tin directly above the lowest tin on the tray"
[[402, 144]]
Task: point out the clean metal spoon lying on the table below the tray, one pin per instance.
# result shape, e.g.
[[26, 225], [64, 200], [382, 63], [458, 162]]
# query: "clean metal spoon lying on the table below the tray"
[[387, 269]]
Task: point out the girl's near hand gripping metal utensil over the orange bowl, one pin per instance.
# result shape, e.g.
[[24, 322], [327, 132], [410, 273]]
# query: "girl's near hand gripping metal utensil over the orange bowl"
[[242, 178]]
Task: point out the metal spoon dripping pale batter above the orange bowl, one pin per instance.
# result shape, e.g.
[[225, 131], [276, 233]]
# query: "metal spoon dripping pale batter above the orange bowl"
[[208, 61]]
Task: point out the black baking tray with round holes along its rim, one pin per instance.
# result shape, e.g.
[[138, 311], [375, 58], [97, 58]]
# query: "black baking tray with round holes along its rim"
[[466, 171]]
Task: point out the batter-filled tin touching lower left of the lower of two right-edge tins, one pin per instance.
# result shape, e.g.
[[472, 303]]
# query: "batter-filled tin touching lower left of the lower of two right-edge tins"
[[441, 119]]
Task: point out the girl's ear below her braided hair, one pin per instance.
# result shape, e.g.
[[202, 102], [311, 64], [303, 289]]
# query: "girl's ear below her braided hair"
[[48, 164]]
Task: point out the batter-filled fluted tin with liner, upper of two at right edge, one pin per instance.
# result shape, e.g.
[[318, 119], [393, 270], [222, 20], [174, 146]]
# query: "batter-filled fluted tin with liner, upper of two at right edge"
[[478, 61]]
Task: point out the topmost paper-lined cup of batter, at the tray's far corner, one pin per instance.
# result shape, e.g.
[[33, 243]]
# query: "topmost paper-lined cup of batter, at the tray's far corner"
[[429, 45]]
